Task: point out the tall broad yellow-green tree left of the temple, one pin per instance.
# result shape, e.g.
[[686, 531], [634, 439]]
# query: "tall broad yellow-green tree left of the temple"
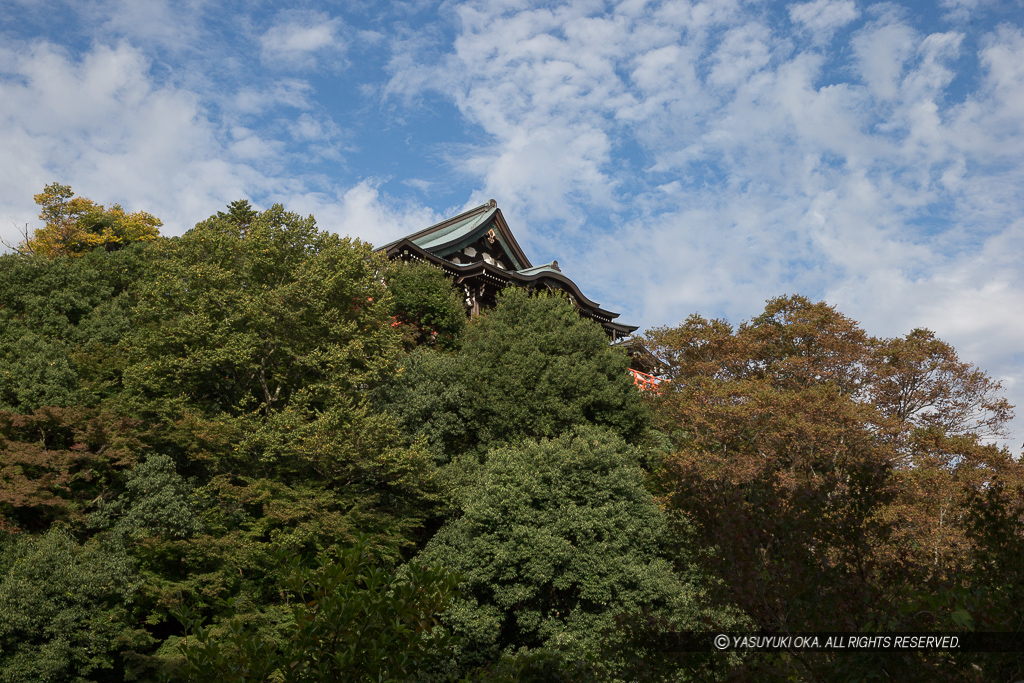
[[249, 362]]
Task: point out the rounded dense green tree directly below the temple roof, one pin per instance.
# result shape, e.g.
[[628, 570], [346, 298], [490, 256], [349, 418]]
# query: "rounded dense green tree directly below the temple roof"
[[531, 368]]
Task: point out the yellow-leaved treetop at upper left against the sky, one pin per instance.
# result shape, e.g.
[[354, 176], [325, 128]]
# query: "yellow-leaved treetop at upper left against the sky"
[[75, 226]]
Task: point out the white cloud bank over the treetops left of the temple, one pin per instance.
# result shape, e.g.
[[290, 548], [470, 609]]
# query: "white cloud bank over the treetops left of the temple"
[[102, 125]]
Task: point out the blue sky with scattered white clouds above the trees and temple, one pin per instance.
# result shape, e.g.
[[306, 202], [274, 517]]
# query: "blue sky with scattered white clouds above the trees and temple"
[[675, 157]]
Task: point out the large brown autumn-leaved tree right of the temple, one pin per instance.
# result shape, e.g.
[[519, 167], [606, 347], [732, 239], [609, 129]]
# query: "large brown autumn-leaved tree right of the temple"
[[834, 476]]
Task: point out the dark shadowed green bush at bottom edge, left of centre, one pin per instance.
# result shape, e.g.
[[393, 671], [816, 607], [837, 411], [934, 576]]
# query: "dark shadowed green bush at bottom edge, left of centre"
[[352, 620]]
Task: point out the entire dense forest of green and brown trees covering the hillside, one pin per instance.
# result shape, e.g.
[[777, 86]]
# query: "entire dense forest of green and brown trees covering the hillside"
[[261, 452]]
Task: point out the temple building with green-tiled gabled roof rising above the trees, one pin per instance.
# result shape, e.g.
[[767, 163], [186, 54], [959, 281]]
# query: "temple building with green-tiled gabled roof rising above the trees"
[[479, 251]]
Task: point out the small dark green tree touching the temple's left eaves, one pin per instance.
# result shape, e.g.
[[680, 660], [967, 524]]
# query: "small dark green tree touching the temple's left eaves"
[[428, 308]]
